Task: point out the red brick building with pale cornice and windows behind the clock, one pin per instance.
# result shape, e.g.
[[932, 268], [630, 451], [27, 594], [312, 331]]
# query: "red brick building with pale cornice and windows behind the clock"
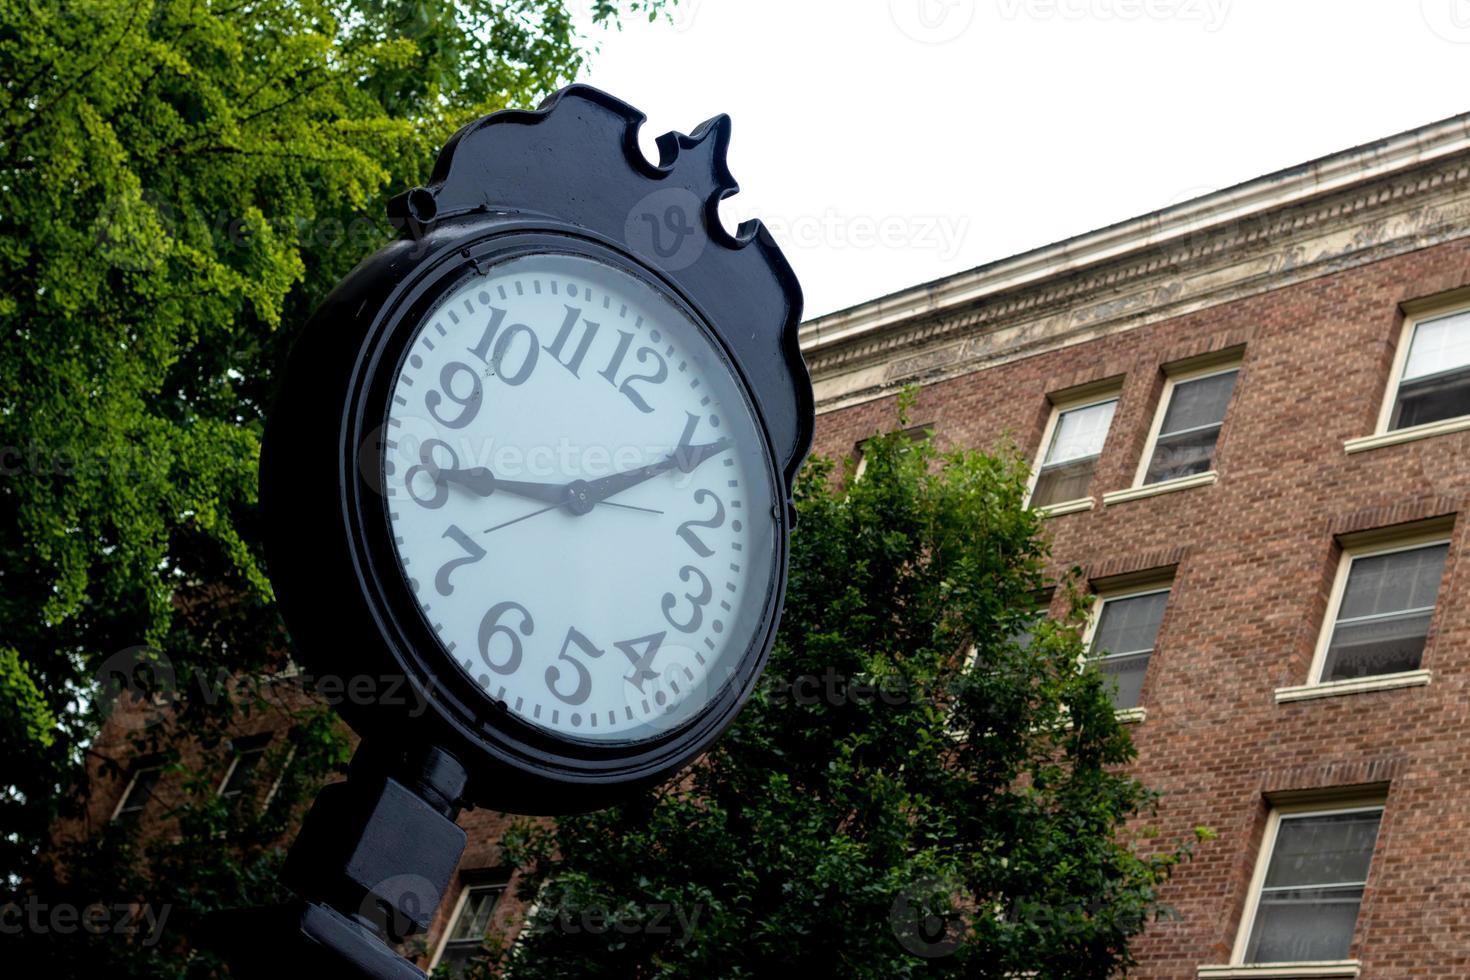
[[1250, 419]]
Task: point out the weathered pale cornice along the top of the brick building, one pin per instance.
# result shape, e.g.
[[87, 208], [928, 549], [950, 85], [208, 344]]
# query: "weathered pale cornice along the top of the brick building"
[[1347, 209]]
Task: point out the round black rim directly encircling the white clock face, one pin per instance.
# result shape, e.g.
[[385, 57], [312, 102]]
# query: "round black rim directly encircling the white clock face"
[[406, 631]]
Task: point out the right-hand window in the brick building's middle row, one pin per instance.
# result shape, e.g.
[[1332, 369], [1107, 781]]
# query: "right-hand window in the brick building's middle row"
[[1381, 610]]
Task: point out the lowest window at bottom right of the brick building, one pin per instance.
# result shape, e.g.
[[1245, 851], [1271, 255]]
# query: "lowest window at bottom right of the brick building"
[[1309, 885]]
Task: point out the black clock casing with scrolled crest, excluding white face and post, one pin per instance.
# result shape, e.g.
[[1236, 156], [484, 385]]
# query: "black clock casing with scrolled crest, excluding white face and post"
[[567, 179]]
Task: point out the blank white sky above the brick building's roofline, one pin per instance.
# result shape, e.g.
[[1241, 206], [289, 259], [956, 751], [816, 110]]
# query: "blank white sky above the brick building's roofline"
[[894, 142]]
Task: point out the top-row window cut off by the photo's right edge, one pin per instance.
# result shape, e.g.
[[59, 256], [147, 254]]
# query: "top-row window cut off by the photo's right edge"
[[1434, 383]]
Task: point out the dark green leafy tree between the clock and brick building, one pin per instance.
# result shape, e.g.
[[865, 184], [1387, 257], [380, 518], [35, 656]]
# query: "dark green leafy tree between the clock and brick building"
[[880, 810]]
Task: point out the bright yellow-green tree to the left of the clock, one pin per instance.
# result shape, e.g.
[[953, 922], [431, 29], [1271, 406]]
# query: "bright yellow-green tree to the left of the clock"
[[182, 181]]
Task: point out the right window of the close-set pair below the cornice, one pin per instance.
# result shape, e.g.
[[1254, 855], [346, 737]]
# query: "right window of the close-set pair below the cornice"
[[1188, 427]]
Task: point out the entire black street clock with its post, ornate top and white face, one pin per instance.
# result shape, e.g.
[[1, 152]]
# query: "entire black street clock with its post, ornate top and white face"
[[559, 198]]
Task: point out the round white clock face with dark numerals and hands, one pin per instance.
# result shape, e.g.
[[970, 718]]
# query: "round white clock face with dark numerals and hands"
[[580, 497]]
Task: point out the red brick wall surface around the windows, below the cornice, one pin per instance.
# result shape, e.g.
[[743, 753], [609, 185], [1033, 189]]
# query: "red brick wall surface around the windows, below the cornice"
[[1256, 558]]
